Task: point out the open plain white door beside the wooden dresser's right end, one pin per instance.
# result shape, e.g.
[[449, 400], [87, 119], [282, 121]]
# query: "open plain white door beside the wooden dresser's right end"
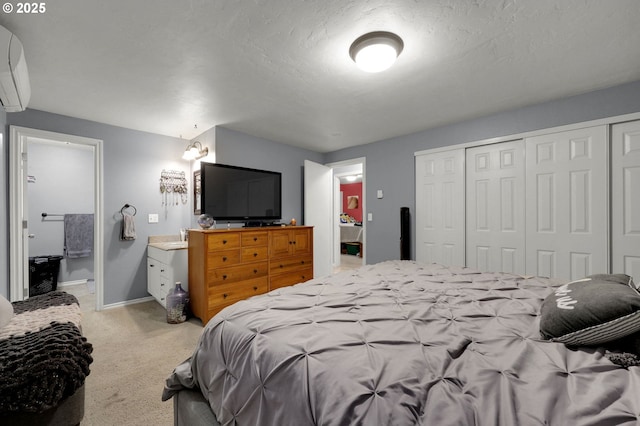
[[318, 208]]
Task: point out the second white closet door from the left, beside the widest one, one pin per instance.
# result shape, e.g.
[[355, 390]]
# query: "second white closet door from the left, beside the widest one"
[[495, 186]]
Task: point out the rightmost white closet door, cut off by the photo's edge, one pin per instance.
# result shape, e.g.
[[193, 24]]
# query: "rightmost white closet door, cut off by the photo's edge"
[[625, 211]]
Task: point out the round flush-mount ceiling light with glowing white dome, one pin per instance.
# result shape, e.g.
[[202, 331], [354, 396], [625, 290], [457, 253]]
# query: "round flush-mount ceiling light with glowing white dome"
[[376, 51]]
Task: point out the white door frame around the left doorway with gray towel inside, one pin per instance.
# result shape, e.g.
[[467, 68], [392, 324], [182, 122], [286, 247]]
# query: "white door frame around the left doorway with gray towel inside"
[[18, 238]]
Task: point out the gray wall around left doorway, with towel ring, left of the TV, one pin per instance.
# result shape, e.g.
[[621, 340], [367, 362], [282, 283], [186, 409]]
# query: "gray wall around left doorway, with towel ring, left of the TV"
[[133, 162]]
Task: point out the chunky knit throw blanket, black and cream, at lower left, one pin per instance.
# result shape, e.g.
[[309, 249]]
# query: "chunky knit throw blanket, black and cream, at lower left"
[[43, 356]]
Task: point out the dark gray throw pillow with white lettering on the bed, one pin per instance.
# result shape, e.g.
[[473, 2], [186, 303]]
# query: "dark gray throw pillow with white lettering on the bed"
[[591, 311]]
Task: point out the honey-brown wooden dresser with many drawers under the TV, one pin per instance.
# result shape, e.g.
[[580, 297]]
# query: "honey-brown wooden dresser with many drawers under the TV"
[[226, 266]]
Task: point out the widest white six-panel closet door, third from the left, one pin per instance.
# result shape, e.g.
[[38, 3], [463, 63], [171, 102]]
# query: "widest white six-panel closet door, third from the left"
[[566, 204]]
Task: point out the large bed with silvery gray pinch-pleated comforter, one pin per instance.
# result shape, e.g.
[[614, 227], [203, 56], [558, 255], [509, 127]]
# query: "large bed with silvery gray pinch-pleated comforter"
[[402, 343]]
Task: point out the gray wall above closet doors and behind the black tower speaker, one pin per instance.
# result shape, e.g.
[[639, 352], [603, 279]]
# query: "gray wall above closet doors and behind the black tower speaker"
[[390, 163]]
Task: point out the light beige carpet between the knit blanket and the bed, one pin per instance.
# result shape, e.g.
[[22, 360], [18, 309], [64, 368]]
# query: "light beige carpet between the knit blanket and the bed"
[[134, 350]]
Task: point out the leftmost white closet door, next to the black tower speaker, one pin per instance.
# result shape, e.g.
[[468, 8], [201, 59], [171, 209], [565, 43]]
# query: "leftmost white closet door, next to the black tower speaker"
[[440, 207]]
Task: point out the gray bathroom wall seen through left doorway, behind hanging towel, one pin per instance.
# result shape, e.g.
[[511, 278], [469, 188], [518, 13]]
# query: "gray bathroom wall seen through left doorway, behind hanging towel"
[[59, 190]]
